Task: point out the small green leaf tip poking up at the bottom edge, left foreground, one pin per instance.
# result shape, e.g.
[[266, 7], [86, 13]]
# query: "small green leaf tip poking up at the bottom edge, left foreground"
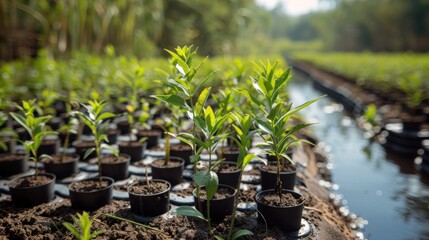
[[83, 229]]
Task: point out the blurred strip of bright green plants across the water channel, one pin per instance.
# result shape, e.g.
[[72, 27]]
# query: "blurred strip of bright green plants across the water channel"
[[383, 73]]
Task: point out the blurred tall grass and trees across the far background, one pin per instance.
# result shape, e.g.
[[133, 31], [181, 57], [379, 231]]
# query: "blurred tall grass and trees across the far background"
[[143, 28]]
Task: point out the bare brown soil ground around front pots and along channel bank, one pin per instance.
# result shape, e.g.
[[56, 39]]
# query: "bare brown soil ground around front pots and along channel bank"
[[321, 218]]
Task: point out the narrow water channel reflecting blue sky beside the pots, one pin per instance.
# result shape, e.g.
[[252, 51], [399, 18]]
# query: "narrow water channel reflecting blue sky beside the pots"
[[378, 186]]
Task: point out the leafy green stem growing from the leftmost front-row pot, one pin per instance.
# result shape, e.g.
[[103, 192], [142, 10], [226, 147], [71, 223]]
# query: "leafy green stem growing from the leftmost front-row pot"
[[35, 126]]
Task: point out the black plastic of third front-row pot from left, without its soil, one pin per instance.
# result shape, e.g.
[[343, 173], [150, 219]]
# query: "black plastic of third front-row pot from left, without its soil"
[[149, 205]]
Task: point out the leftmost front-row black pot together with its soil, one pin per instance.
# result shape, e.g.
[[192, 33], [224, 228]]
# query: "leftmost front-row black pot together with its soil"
[[32, 190]]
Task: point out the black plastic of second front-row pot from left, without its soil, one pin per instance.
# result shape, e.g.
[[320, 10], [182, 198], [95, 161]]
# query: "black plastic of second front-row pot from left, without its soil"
[[90, 200]]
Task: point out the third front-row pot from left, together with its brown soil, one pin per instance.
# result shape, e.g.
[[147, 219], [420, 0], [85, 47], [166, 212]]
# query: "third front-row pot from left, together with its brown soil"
[[149, 200]]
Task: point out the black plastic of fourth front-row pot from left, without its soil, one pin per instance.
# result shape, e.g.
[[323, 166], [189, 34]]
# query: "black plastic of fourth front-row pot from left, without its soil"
[[219, 208]]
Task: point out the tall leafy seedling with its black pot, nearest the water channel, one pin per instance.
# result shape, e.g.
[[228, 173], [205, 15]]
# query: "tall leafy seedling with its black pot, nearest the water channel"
[[278, 204]]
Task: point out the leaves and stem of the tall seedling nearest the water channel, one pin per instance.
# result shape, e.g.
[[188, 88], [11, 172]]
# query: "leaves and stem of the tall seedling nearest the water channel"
[[274, 116]]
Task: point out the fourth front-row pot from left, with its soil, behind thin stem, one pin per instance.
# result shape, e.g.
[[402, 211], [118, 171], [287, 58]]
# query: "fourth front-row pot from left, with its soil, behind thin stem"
[[221, 205]]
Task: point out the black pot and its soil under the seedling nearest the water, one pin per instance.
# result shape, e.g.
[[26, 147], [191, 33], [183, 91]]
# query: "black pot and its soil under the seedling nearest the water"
[[284, 212]]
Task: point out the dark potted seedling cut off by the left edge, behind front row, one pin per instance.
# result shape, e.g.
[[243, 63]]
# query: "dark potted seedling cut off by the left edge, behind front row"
[[11, 163]]
